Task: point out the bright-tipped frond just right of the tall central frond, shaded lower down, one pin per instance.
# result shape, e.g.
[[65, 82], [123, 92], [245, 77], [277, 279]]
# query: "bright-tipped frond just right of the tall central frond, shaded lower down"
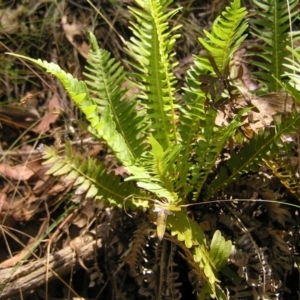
[[226, 37]]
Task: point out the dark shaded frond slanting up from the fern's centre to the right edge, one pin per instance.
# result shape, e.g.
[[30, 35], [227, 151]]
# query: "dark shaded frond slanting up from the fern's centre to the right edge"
[[263, 145]]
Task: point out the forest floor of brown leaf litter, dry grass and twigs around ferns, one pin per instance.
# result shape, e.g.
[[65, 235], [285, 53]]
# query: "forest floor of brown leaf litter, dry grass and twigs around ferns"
[[55, 244]]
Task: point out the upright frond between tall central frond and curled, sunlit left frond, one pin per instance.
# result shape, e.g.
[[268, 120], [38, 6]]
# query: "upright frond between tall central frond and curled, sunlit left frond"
[[106, 77]]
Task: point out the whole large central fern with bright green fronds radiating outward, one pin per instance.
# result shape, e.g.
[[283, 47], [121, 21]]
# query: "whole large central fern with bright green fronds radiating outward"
[[167, 140]]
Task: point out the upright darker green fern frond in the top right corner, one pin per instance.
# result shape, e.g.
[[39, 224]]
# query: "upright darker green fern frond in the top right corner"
[[271, 26]]
